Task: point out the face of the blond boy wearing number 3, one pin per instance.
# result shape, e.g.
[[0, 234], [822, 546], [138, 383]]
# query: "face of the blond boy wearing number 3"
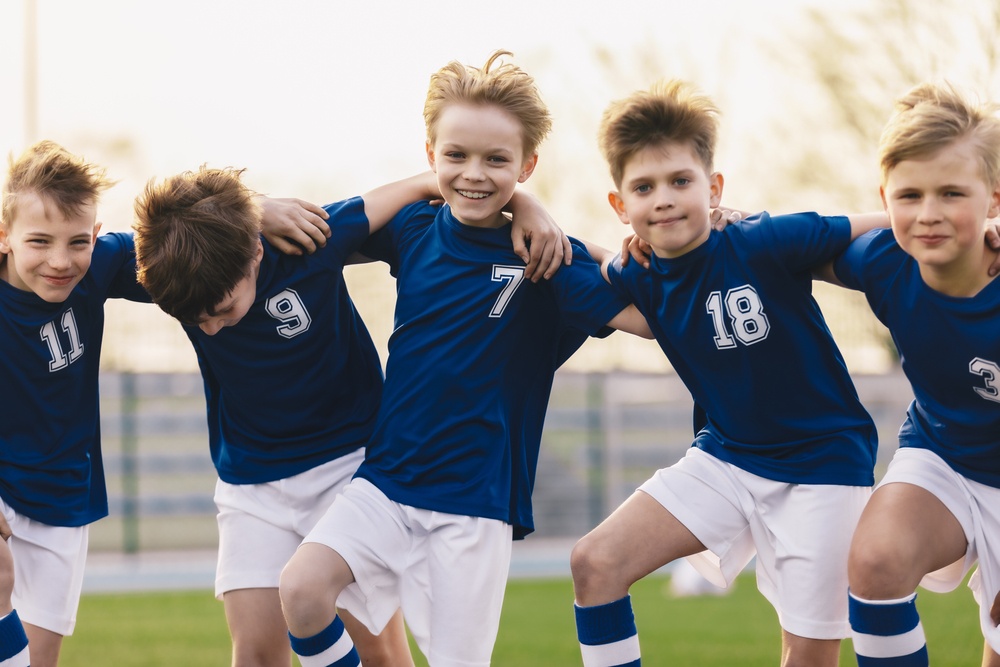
[[938, 207]]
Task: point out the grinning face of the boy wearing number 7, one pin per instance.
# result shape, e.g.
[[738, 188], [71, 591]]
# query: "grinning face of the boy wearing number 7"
[[477, 155]]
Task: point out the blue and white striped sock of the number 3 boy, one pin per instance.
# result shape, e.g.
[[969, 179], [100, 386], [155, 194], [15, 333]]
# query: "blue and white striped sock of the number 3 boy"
[[887, 633]]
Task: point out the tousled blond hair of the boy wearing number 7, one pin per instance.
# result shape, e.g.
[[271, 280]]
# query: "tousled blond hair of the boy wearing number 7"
[[506, 86]]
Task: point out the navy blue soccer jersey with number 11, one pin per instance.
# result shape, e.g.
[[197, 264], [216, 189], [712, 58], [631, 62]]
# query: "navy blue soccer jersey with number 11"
[[51, 468]]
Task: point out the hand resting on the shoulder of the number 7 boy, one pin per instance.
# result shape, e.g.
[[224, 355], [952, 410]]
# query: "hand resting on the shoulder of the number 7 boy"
[[537, 238]]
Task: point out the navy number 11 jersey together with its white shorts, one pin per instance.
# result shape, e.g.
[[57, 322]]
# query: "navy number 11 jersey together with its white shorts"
[[52, 486]]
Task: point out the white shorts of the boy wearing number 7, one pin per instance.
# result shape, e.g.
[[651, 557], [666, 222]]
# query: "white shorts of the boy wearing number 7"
[[447, 572]]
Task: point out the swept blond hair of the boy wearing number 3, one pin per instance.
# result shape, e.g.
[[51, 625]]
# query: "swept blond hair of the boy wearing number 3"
[[931, 116]]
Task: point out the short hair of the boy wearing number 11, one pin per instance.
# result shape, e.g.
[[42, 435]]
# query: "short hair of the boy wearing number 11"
[[48, 170]]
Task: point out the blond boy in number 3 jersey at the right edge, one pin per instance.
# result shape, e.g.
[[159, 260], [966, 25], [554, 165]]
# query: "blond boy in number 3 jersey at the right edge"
[[937, 510]]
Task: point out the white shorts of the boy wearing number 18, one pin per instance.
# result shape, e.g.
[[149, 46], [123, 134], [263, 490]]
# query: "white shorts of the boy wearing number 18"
[[801, 534]]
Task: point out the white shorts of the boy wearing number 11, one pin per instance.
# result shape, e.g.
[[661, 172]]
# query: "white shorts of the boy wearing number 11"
[[48, 571]]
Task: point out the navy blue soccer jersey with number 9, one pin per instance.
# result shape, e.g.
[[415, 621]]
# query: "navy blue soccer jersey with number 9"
[[296, 382]]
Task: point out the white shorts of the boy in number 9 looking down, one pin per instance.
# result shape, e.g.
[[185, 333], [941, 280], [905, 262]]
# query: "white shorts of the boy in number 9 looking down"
[[261, 525]]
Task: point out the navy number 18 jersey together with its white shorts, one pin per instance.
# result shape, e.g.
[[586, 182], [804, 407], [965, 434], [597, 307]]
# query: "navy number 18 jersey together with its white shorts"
[[784, 463]]
